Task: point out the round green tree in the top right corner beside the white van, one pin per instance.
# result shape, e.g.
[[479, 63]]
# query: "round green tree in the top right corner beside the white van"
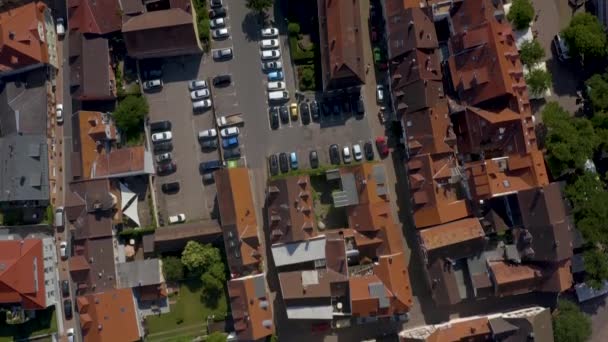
[[585, 36]]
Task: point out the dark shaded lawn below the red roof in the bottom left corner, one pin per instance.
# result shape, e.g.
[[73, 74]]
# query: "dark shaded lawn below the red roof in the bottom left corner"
[[44, 323]]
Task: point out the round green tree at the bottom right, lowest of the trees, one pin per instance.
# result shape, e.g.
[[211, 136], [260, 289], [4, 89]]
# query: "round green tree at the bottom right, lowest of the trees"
[[570, 324]]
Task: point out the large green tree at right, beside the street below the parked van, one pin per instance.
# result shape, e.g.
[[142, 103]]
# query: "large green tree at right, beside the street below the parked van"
[[569, 141]]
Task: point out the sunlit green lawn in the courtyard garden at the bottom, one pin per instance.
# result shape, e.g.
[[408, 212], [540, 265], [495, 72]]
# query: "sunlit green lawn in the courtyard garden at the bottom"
[[190, 309]]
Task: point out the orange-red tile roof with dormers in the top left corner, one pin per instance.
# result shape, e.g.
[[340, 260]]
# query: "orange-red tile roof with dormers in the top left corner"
[[22, 37]]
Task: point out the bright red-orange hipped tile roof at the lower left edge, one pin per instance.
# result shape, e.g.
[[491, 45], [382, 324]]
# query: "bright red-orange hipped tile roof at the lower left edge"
[[22, 278]]
